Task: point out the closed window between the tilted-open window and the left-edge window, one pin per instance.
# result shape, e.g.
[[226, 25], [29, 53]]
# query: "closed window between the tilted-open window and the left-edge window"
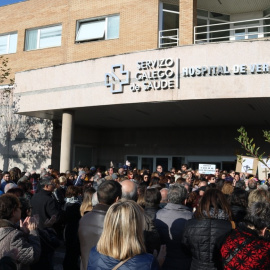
[[45, 37]]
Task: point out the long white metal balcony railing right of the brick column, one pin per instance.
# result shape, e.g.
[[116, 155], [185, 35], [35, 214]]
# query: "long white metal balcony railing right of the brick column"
[[231, 31]]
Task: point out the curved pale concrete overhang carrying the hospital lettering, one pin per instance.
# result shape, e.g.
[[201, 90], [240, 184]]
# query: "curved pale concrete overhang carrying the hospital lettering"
[[210, 100]]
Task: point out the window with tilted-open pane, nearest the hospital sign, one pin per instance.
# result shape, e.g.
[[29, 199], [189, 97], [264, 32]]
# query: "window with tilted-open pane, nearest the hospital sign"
[[98, 29]]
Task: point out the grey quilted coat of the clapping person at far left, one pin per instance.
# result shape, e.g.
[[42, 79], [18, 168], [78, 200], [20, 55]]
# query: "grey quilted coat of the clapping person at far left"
[[27, 245]]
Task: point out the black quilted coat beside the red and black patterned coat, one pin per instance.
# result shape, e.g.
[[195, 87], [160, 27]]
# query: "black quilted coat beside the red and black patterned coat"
[[204, 238]]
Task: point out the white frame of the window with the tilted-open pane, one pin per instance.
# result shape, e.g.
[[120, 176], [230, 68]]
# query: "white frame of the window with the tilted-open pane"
[[95, 19]]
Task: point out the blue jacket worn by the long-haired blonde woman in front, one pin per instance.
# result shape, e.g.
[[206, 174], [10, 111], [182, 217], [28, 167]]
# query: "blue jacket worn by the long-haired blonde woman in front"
[[143, 261]]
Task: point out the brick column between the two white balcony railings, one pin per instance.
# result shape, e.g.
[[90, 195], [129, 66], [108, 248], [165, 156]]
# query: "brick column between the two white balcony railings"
[[187, 21]]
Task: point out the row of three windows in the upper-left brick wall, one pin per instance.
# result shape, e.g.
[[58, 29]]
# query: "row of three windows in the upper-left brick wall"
[[87, 30]]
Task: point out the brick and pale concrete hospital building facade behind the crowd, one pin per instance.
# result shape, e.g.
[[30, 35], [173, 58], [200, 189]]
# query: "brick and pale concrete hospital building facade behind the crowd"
[[152, 82]]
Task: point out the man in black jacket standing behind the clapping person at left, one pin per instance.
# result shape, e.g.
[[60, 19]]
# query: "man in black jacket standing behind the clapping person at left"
[[43, 203]]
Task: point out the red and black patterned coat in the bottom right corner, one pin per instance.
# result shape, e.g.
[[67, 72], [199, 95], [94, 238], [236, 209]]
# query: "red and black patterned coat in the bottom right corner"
[[255, 254]]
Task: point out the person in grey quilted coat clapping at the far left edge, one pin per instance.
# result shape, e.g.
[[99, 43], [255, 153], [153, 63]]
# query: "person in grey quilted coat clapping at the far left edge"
[[25, 238]]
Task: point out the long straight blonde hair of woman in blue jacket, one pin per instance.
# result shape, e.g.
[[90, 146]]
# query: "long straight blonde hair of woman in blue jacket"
[[122, 236]]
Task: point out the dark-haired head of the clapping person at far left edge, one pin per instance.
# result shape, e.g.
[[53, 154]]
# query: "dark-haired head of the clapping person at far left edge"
[[8, 204]]
